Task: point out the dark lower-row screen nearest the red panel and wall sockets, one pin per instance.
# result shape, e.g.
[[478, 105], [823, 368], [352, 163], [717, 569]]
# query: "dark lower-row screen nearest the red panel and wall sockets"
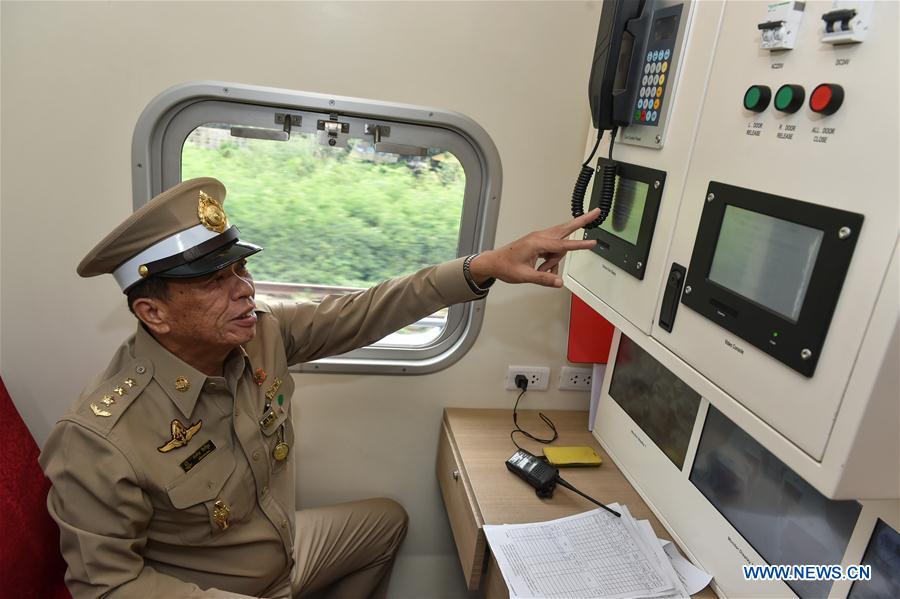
[[658, 401]]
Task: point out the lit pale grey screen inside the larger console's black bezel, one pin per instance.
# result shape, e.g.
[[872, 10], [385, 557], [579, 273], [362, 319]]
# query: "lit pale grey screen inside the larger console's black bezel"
[[766, 260]]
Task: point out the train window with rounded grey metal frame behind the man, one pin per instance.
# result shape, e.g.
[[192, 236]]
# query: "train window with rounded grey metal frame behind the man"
[[340, 199]]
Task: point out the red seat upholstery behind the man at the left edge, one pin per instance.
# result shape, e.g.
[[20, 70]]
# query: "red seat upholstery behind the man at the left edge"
[[30, 562]]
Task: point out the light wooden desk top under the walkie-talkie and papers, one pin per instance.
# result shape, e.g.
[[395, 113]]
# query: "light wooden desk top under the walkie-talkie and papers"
[[482, 439]]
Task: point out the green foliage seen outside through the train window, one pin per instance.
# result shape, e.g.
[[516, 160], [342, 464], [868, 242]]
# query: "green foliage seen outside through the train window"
[[334, 216]]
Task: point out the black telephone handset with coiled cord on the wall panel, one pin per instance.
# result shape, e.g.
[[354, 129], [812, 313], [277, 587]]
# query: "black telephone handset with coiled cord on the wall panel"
[[615, 82]]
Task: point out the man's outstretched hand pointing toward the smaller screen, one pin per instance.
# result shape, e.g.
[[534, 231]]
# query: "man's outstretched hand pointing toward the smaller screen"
[[517, 262]]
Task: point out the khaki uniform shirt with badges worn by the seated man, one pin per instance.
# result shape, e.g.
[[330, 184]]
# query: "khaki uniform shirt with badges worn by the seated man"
[[138, 515]]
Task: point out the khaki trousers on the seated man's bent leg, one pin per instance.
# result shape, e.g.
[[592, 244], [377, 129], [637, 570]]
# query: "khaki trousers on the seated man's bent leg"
[[346, 551]]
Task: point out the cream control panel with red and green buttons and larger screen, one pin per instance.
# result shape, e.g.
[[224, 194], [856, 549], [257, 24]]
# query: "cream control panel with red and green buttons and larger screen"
[[788, 223]]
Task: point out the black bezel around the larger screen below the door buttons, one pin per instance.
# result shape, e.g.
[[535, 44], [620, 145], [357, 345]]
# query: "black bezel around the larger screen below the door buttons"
[[751, 321]]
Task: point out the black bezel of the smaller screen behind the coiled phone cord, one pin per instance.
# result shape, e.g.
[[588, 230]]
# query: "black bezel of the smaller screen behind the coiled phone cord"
[[616, 250]]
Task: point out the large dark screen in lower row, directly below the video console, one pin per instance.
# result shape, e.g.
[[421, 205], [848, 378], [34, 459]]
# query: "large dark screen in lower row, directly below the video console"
[[782, 516]]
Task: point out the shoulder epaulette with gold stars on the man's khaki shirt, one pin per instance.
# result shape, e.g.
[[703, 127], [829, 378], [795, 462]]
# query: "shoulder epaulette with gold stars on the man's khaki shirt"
[[100, 409]]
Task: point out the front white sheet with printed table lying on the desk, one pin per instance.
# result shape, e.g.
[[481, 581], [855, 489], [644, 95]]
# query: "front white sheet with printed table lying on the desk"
[[590, 555]]
